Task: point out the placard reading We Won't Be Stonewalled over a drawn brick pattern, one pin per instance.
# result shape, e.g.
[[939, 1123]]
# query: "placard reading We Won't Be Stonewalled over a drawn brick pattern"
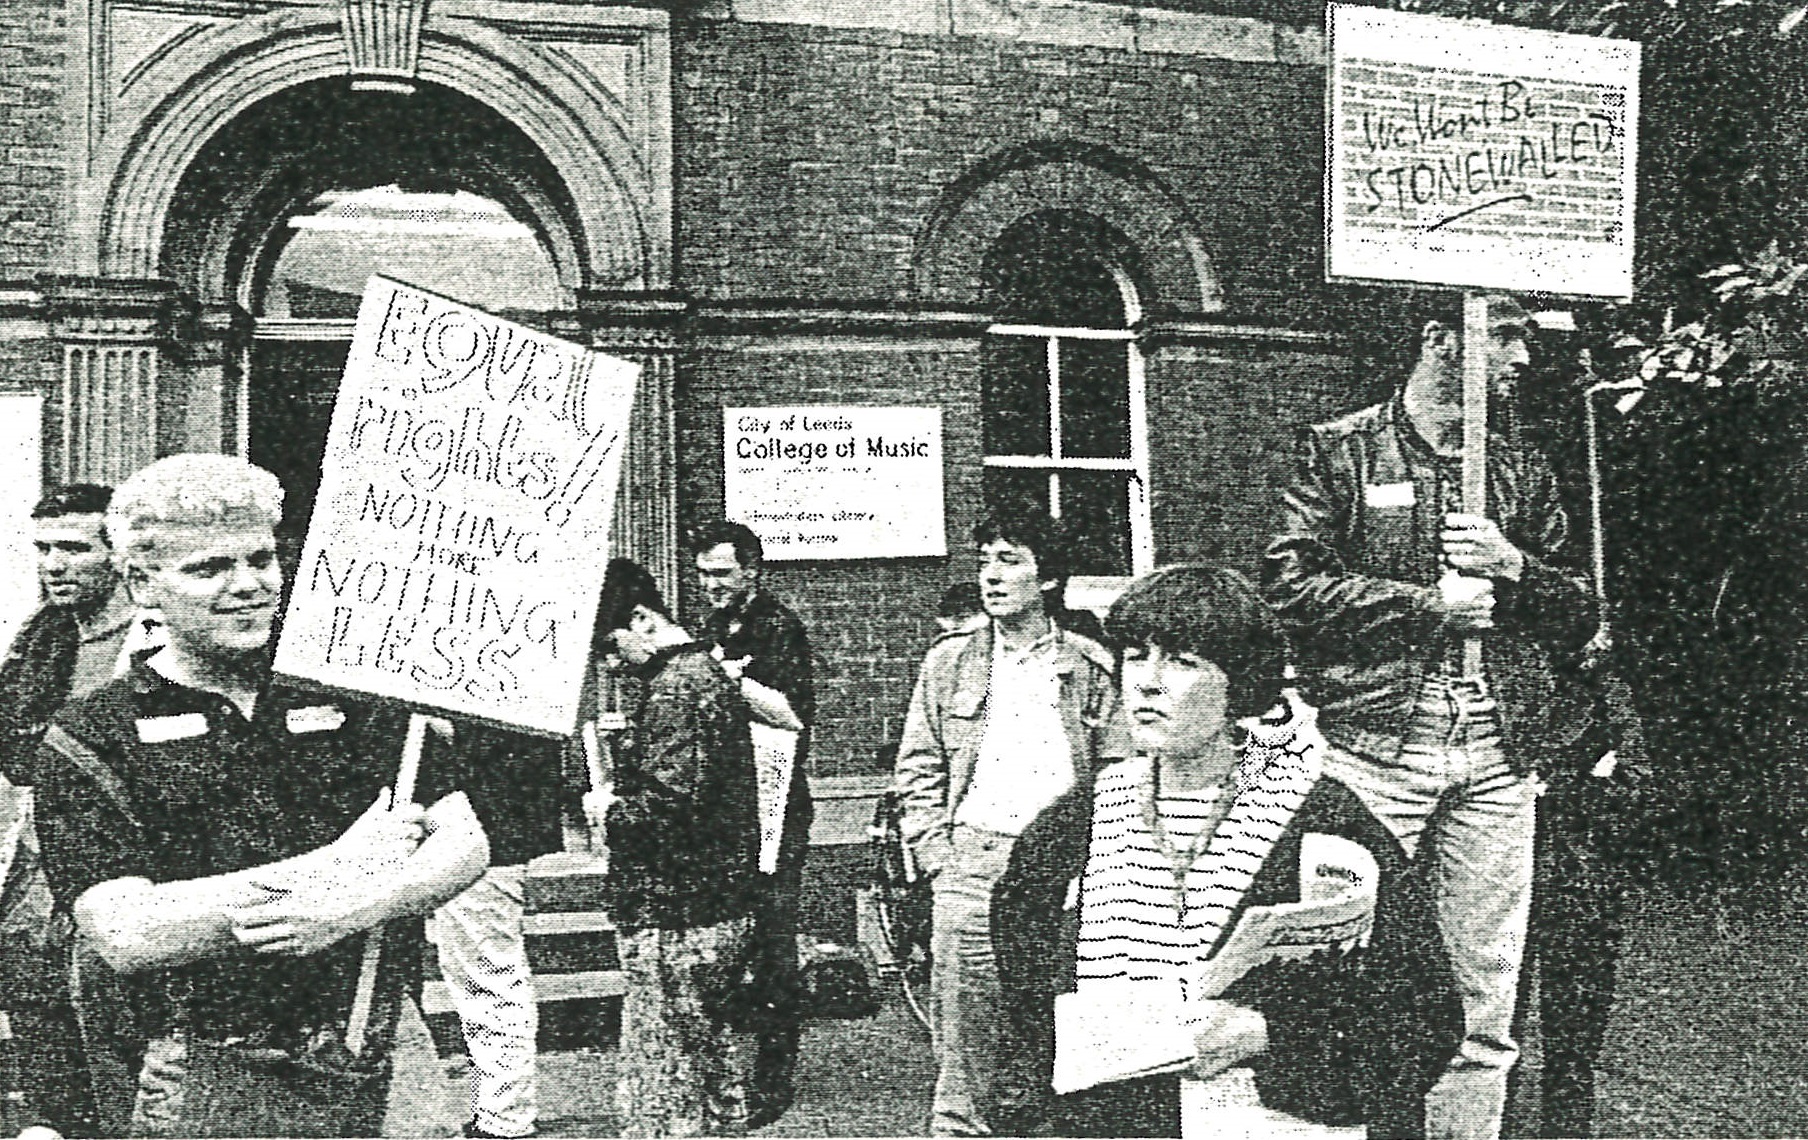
[[1480, 156]]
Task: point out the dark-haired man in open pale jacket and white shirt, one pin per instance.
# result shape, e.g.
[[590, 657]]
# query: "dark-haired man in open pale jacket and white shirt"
[[1006, 718]]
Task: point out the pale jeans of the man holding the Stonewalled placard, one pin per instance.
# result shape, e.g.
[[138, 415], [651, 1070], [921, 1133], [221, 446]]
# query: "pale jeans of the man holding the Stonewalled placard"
[[1456, 801]]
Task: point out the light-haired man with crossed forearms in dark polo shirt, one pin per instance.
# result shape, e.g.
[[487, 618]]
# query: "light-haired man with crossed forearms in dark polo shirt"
[[225, 839]]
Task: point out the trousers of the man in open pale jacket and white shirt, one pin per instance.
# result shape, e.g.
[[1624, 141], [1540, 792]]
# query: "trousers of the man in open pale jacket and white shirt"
[[983, 1069]]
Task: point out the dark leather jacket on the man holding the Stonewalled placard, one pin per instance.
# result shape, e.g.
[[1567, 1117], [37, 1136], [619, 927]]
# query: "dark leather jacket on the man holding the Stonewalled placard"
[[1353, 574]]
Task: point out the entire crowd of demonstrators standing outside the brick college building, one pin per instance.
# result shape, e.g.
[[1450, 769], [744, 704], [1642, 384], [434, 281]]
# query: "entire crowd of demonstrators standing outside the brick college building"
[[1104, 812]]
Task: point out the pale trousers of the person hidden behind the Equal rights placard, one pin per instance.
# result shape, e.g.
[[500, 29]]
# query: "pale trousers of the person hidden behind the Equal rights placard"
[[484, 958]]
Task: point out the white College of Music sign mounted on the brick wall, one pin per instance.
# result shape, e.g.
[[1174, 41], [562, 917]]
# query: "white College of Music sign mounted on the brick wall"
[[836, 481]]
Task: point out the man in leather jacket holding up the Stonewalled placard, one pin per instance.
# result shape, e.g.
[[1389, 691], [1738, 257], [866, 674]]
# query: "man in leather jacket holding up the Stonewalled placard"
[[1380, 577]]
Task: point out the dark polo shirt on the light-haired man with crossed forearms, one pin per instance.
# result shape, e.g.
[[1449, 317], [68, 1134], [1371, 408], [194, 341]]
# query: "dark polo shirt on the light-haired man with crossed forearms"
[[207, 792]]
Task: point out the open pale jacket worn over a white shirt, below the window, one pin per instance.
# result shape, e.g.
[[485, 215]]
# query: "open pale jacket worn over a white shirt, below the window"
[[946, 725]]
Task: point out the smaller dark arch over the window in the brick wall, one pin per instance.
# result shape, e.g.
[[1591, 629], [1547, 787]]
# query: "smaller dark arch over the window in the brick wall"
[[1174, 270]]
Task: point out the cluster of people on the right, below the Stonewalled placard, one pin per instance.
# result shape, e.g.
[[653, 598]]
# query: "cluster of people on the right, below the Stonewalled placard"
[[1093, 816]]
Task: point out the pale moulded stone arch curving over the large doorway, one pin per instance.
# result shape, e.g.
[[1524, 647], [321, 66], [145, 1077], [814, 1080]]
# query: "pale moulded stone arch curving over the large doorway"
[[621, 230]]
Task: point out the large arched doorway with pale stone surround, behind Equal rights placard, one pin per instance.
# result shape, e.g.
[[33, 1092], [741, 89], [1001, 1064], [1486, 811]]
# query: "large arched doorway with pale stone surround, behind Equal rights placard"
[[202, 167]]
